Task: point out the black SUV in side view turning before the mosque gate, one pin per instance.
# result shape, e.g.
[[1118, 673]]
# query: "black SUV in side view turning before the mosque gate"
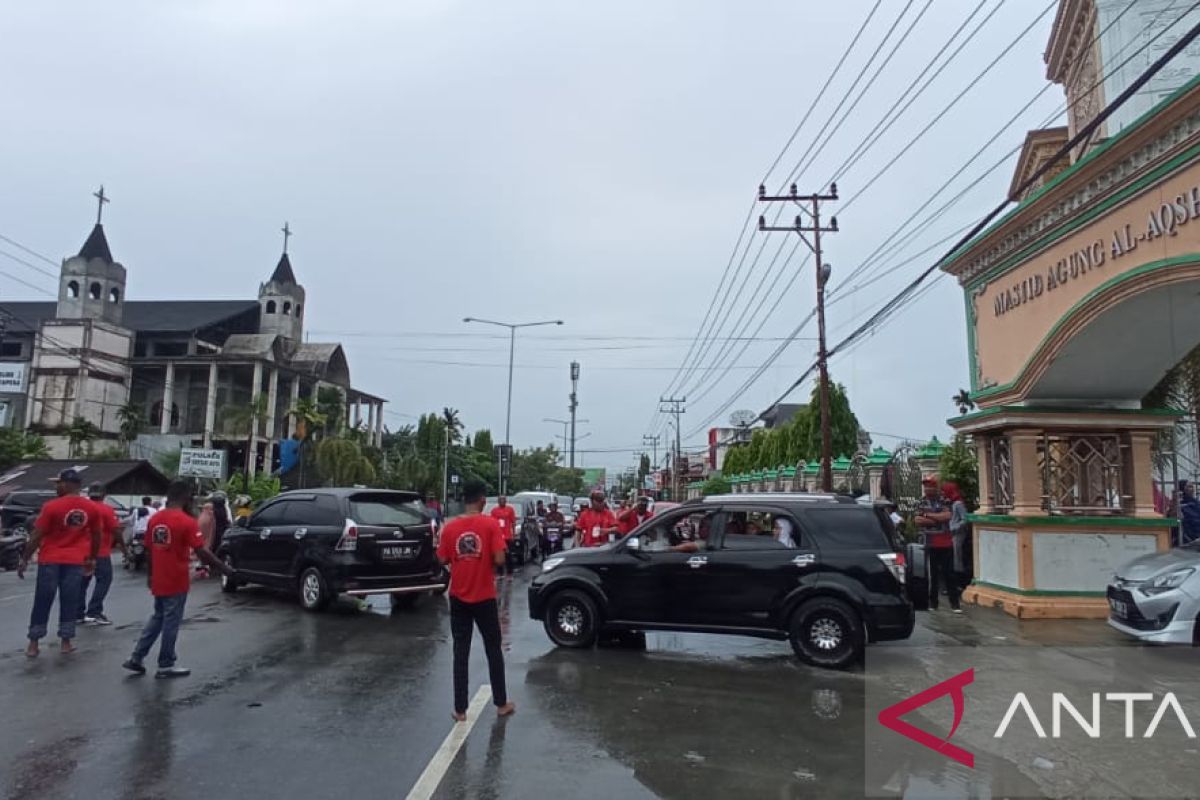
[[715, 567]]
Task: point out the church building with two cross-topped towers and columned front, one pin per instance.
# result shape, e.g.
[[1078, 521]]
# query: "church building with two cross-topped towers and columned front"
[[195, 368]]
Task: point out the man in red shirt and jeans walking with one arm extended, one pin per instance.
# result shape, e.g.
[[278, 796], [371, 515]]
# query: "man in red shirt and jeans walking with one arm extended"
[[171, 538]]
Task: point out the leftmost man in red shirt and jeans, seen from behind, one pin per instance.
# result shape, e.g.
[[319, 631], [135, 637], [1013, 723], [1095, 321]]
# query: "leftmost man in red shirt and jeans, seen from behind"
[[67, 537]]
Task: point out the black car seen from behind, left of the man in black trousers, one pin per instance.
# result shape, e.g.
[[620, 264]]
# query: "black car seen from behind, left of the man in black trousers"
[[325, 543]]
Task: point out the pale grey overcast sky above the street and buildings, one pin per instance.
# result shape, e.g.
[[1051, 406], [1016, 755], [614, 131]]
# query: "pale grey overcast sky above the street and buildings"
[[520, 161]]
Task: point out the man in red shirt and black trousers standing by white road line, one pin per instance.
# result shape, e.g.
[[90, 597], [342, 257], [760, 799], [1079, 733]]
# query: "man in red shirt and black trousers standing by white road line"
[[472, 545]]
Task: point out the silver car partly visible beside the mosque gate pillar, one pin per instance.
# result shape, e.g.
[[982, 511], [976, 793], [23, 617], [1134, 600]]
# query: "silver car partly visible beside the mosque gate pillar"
[[1157, 598]]
